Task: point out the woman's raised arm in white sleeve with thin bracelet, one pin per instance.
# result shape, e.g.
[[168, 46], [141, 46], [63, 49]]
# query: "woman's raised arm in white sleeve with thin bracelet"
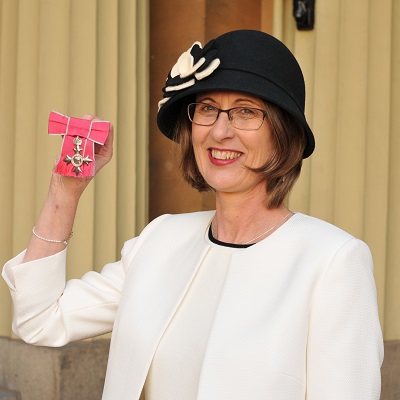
[[47, 310]]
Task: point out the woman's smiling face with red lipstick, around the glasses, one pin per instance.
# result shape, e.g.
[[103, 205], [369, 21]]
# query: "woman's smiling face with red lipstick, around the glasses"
[[223, 152]]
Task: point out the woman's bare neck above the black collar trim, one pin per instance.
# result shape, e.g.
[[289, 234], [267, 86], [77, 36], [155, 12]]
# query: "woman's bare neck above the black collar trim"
[[239, 218]]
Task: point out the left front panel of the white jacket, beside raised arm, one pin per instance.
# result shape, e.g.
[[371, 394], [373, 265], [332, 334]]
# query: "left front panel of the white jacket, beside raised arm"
[[159, 276]]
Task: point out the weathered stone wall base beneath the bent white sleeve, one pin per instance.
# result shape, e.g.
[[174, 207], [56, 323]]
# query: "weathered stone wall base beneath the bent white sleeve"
[[72, 372]]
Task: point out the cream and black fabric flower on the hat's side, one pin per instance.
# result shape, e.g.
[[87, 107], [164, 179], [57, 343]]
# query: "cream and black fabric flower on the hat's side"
[[193, 65]]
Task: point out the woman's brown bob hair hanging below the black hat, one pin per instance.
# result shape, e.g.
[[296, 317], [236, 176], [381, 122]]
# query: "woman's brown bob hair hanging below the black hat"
[[280, 171]]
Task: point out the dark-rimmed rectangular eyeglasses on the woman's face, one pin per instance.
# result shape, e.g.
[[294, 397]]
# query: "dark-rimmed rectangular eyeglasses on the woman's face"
[[244, 118]]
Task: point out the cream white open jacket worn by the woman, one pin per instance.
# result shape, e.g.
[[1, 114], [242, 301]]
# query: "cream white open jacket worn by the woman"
[[297, 318]]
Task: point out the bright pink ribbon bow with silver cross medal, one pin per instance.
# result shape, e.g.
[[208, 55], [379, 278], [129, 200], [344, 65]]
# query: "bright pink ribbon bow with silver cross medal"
[[77, 150]]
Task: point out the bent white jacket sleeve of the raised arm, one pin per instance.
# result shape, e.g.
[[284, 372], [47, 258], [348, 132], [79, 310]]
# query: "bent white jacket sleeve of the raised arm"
[[50, 312]]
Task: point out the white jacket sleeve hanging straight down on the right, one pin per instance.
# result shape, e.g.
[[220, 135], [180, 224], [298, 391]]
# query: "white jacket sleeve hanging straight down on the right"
[[345, 346]]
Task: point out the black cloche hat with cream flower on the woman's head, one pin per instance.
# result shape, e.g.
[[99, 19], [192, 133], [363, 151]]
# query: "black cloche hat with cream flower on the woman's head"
[[246, 61]]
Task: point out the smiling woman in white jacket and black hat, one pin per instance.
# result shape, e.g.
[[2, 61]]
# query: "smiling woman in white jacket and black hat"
[[252, 301]]
